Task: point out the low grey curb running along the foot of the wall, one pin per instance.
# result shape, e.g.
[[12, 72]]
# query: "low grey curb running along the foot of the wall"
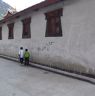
[[68, 74]]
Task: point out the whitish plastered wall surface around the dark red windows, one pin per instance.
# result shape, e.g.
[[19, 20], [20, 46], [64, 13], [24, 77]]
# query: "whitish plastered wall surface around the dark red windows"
[[75, 50]]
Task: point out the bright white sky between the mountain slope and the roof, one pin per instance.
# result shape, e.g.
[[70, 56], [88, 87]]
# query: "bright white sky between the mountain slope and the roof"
[[21, 4]]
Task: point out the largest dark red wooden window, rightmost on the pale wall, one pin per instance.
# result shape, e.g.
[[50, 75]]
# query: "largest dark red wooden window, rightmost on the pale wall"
[[53, 27]]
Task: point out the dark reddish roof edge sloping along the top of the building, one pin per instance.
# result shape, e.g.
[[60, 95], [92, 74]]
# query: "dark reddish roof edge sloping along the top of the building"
[[29, 9]]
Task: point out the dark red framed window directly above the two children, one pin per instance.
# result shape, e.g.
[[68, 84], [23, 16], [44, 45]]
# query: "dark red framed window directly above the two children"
[[26, 28]]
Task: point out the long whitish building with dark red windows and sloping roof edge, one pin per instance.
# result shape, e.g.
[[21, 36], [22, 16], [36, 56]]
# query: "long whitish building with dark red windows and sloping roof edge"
[[58, 33]]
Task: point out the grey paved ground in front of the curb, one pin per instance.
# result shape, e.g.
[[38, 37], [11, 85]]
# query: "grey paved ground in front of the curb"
[[17, 80]]
